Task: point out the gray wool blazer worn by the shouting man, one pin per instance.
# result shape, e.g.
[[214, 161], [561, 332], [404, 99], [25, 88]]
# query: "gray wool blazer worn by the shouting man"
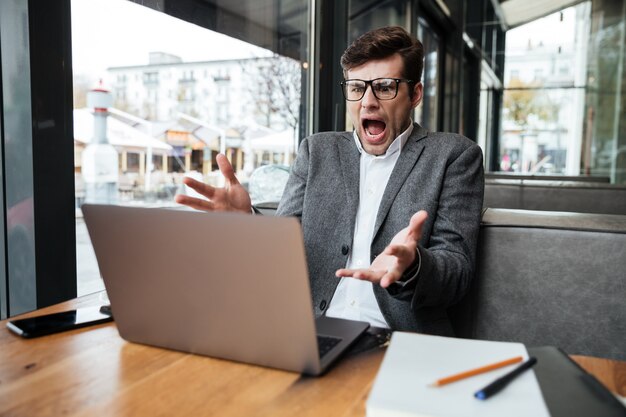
[[441, 173]]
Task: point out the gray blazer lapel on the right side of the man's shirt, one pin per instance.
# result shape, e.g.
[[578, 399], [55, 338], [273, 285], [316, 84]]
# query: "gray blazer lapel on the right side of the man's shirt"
[[408, 158]]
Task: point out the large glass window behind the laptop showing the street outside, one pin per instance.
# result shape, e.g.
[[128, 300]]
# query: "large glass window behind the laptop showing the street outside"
[[179, 94]]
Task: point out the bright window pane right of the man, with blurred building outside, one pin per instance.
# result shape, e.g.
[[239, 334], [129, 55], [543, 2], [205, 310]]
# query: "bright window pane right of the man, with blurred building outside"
[[543, 109]]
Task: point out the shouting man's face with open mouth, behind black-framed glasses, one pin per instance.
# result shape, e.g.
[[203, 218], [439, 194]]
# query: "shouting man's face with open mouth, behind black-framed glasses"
[[379, 122]]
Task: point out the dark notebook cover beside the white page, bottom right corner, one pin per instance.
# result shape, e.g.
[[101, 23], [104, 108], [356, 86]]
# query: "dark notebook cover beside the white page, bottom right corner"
[[569, 391]]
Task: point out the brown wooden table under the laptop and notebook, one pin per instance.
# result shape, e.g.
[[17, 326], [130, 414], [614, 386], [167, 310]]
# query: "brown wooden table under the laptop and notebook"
[[93, 372]]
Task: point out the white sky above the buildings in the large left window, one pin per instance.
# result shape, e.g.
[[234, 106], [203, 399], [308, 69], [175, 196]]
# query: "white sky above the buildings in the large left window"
[[108, 33]]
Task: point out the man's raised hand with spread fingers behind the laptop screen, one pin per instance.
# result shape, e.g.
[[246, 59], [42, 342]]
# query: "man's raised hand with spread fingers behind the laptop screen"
[[233, 197]]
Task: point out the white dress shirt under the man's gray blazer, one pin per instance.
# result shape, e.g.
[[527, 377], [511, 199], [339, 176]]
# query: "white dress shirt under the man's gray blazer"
[[354, 299]]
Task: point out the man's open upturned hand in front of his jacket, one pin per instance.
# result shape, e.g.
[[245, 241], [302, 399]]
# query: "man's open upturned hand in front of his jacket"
[[389, 266]]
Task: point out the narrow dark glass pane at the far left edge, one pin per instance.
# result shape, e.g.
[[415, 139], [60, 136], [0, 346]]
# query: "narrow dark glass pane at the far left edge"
[[17, 276]]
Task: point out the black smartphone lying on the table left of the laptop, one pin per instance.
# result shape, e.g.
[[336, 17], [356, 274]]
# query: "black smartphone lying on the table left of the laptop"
[[60, 322]]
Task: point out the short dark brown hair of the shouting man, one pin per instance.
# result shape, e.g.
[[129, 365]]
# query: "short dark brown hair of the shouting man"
[[382, 43]]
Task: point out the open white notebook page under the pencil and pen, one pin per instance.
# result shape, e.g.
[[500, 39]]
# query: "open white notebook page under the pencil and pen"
[[414, 361]]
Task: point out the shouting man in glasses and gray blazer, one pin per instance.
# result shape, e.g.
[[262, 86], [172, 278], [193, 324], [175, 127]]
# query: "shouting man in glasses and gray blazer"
[[390, 212]]
